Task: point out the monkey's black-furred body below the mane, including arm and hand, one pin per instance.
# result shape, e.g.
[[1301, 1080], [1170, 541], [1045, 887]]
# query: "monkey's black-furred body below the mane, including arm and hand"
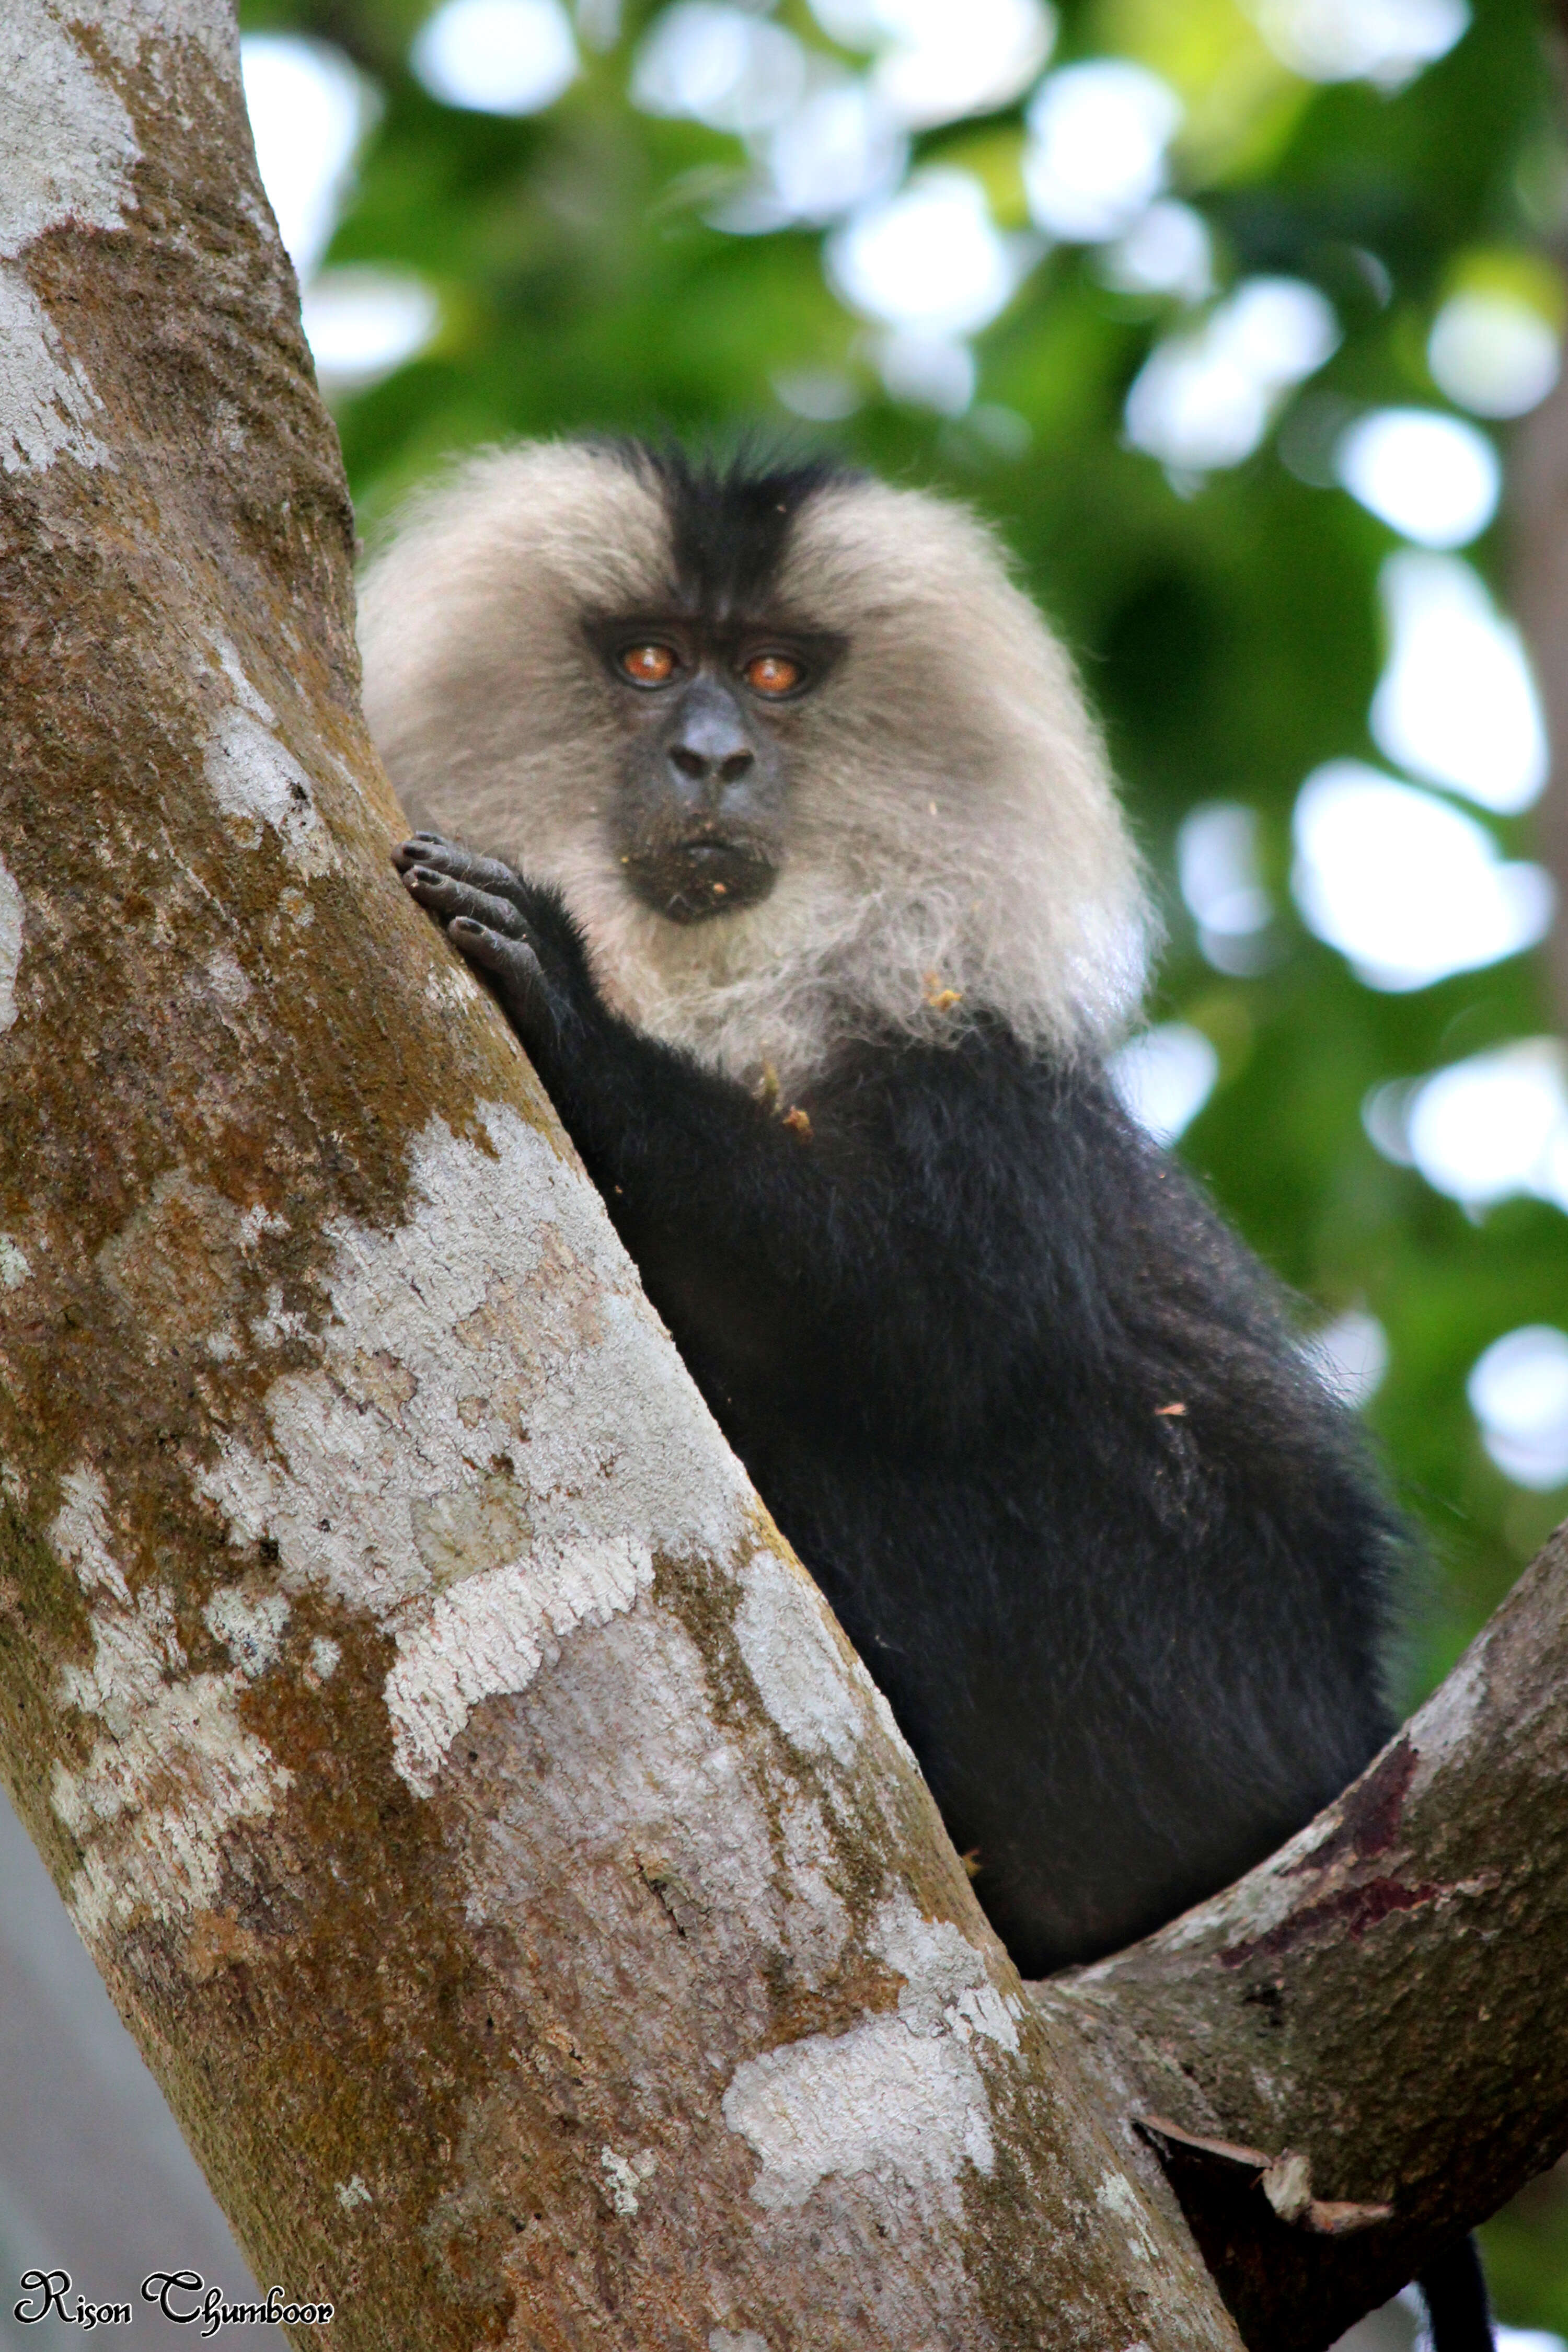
[[1024, 1408]]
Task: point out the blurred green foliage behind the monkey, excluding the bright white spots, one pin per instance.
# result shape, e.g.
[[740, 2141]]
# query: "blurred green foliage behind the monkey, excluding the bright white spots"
[[1231, 632]]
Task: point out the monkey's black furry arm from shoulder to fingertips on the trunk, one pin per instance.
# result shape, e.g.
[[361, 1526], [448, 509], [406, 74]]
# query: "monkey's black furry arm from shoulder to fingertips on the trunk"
[[836, 1269]]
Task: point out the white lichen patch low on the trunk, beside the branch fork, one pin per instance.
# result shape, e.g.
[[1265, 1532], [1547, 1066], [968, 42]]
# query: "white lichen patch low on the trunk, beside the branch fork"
[[897, 2099]]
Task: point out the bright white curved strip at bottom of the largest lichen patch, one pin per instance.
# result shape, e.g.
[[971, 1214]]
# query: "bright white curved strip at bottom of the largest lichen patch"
[[492, 1633]]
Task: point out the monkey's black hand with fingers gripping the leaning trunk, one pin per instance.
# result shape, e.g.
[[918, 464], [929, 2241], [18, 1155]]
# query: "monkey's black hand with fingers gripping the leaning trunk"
[[516, 933]]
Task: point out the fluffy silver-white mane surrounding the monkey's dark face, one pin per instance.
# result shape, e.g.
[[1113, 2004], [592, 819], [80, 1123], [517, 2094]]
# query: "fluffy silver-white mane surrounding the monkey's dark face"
[[953, 841]]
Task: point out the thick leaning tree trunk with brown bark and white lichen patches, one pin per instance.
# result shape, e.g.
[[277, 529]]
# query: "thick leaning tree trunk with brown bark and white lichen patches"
[[518, 1887]]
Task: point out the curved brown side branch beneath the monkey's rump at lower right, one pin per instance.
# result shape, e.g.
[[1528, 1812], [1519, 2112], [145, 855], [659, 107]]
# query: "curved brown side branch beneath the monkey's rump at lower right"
[[1386, 1998]]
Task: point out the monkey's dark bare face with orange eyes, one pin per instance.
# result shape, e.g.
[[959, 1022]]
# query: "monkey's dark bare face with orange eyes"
[[709, 716]]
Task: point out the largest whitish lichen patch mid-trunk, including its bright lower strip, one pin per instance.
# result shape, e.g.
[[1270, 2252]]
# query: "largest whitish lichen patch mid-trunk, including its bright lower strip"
[[500, 1436]]
